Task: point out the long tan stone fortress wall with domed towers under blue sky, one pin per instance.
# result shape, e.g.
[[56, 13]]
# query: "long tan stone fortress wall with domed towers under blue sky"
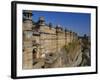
[[40, 38]]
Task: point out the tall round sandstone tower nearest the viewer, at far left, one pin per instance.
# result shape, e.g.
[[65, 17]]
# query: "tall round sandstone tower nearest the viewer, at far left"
[[27, 42]]
